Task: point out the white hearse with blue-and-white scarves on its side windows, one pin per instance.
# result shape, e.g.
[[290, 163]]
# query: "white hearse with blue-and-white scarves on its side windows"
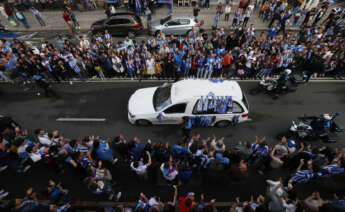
[[208, 102]]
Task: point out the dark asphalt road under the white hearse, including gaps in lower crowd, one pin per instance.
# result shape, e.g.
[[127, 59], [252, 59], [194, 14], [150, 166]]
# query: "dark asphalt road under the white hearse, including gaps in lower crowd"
[[109, 101]]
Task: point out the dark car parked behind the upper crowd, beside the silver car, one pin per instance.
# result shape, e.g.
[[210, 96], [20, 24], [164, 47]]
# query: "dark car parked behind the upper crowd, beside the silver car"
[[119, 24]]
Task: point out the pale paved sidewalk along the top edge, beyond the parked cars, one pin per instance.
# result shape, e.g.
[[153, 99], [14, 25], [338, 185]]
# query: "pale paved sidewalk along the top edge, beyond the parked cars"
[[55, 22]]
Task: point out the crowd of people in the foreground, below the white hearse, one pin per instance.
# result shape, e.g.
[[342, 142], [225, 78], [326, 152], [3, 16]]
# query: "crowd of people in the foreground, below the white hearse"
[[175, 164]]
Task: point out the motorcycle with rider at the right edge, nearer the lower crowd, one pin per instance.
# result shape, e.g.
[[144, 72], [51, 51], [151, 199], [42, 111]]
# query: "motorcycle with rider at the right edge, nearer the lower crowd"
[[311, 128]]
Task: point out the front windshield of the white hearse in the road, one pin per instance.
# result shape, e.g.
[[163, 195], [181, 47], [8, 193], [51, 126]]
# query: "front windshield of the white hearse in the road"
[[161, 97]]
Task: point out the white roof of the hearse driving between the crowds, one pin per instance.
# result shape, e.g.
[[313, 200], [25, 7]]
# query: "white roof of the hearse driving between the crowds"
[[195, 88]]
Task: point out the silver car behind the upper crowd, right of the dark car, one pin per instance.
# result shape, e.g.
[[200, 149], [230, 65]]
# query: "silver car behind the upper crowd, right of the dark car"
[[174, 24]]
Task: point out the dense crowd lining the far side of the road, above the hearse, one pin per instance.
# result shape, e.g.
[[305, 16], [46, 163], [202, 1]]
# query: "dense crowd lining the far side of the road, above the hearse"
[[242, 53]]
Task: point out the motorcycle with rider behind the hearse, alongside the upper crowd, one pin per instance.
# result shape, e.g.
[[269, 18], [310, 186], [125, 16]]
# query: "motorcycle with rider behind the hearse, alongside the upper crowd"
[[286, 83]]
